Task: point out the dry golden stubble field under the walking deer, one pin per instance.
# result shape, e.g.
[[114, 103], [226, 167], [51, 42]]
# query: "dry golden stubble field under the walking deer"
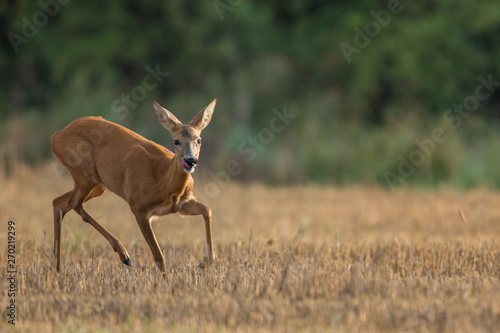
[[289, 259]]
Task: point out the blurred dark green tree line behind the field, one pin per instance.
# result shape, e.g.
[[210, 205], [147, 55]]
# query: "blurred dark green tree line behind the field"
[[365, 80]]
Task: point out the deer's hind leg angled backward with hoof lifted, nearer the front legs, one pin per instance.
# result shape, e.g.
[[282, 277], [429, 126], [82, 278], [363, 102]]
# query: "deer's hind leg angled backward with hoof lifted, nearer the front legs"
[[81, 194]]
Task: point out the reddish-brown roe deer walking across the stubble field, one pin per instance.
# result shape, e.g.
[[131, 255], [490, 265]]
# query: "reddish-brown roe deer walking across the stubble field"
[[154, 181]]
